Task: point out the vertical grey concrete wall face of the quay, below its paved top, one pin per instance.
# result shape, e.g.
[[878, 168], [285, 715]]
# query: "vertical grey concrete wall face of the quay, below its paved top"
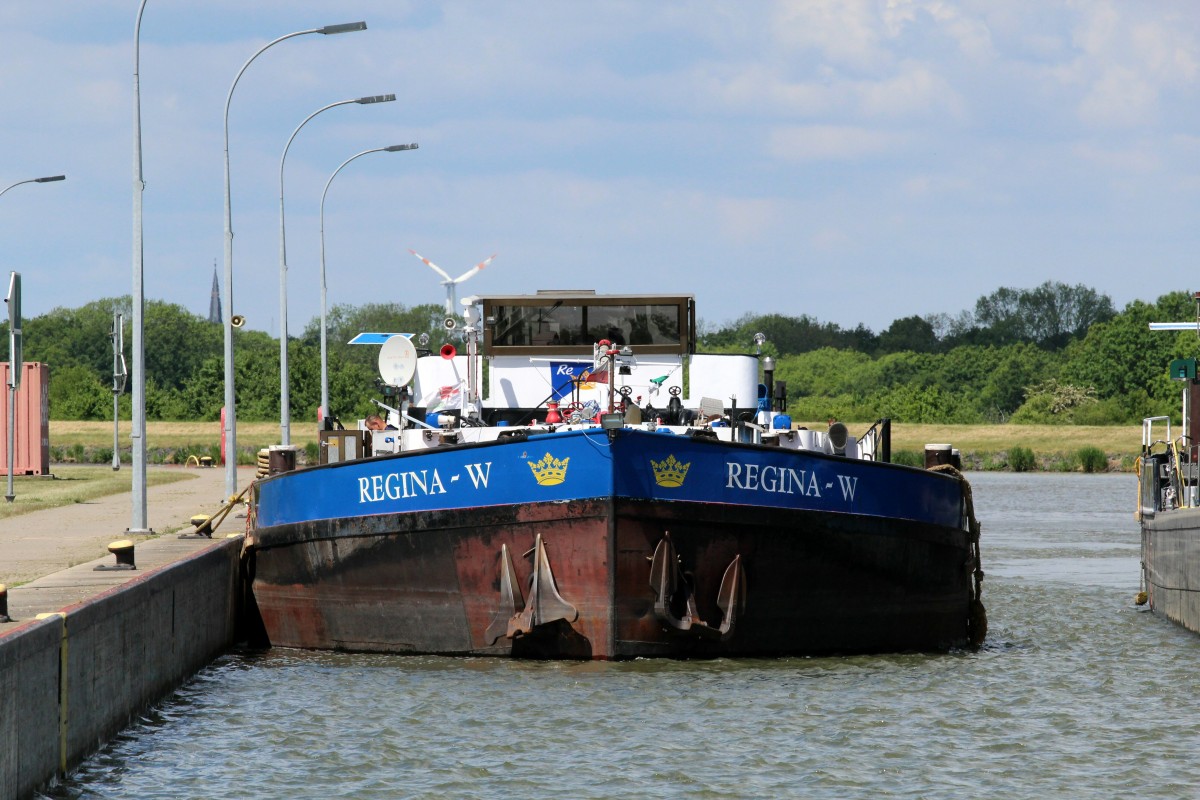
[[71, 682]]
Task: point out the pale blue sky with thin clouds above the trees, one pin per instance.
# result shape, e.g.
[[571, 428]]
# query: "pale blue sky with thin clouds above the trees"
[[855, 161]]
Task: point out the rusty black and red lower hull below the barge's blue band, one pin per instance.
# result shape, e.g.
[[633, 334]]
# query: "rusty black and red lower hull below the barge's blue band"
[[814, 582]]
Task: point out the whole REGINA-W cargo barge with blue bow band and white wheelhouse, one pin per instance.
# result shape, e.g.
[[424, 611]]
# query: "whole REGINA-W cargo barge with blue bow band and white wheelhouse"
[[580, 483]]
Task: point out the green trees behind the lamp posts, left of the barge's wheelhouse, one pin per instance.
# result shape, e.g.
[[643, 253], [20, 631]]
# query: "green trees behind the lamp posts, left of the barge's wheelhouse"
[[185, 362]]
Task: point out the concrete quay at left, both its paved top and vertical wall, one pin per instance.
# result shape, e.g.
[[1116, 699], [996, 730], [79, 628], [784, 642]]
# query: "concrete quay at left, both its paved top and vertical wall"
[[110, 643]]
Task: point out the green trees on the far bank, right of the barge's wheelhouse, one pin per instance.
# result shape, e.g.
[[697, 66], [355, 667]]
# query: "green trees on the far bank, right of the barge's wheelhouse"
[[1053, 354]]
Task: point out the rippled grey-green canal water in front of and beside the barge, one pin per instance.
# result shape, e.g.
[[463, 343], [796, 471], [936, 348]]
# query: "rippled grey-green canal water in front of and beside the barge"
[[1077, 694]]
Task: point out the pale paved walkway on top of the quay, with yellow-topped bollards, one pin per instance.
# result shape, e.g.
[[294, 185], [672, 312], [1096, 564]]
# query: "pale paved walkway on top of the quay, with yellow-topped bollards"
[[43, 544]]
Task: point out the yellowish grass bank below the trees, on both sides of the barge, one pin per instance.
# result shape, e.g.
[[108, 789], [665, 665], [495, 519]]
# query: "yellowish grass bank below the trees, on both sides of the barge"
[[983, 447]]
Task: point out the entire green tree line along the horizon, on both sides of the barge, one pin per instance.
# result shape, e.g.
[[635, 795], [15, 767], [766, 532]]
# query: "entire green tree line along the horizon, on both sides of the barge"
[[1052, 354]]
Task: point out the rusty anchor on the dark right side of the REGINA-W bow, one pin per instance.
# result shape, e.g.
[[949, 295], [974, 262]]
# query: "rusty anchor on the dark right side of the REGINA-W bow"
[[668, 581]]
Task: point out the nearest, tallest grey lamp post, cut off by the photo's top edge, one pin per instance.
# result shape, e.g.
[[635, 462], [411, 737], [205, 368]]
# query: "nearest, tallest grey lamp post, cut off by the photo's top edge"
[[139, 524]]
